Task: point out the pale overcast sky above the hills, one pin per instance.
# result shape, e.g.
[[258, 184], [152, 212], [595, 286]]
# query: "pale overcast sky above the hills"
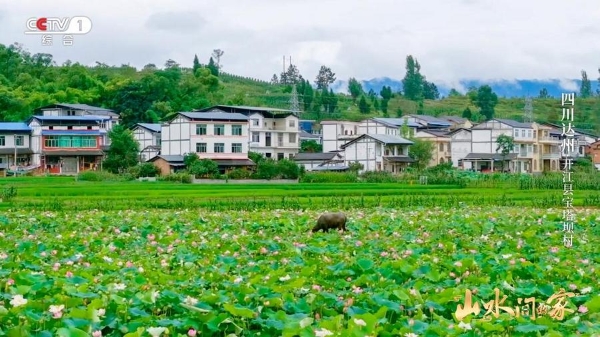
[[452, 39]]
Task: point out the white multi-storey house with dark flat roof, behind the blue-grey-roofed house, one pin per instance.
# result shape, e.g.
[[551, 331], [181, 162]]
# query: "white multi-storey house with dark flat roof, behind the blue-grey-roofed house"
[[273, 133]]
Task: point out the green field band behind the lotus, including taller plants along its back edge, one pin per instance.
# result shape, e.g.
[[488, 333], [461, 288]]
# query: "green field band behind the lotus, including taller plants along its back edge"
[[332, 190]]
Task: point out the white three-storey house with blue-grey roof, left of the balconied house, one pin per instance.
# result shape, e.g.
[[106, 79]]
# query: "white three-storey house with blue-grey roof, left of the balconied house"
[[219, 136]]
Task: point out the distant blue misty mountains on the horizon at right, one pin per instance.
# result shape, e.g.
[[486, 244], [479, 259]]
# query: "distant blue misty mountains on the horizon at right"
[[503, 88]]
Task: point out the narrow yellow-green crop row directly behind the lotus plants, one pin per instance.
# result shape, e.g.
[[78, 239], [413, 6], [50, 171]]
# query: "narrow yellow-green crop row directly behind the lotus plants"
[[330, 202]]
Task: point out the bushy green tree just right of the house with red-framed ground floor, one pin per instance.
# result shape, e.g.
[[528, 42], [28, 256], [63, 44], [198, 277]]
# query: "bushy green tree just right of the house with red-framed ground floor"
[[123, 152]]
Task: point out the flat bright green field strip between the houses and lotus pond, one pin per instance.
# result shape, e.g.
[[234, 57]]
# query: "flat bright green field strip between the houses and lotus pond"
[[65, 193]]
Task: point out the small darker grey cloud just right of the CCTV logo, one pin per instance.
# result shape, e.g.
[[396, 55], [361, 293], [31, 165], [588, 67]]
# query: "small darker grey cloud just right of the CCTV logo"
[[177, 22]]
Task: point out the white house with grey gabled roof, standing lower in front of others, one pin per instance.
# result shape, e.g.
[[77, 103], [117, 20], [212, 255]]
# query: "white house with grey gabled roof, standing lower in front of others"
[[378, 152]]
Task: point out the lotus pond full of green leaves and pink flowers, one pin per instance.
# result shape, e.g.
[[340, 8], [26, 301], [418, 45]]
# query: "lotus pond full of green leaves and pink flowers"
[[262, 273]]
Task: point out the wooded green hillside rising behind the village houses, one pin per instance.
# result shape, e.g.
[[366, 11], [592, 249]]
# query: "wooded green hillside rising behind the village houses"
[[152, 94]]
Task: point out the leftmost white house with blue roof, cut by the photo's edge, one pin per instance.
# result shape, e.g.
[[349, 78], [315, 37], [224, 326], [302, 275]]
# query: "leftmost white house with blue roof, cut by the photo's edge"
[[15, 139]]
